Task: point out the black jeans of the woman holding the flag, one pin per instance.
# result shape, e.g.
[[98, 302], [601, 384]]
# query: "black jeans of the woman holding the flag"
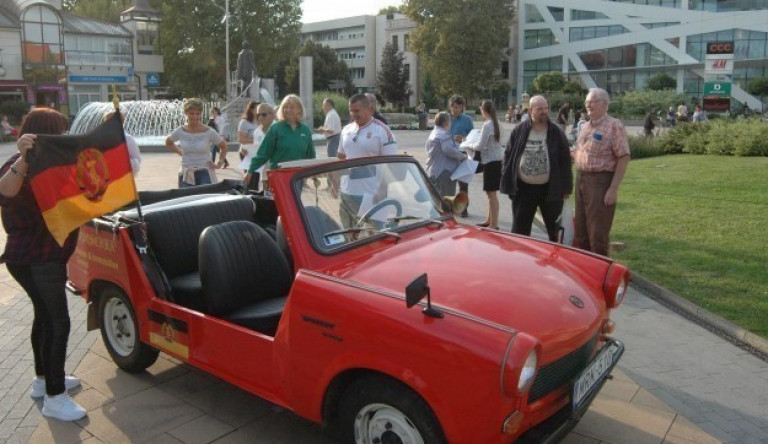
[[44, 284]]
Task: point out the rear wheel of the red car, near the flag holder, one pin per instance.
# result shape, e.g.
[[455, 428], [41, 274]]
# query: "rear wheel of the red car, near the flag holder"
[[120, 331]]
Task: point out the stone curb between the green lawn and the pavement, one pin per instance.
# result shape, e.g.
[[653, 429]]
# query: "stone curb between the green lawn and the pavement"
[[706, 317]]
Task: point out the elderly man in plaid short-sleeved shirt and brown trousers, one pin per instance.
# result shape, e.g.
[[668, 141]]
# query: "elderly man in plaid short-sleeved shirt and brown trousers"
[[601, 158]]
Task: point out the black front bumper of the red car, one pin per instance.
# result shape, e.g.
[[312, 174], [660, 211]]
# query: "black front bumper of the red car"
[[556, 427]]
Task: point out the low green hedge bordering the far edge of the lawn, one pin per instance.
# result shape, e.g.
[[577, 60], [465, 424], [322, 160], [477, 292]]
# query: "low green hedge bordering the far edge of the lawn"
[[739, 137]]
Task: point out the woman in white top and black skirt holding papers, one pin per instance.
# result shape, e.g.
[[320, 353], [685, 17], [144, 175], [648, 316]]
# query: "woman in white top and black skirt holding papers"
[[491, 154]]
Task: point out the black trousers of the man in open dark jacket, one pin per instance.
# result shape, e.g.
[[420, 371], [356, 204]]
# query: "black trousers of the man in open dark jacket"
[[524, 204]]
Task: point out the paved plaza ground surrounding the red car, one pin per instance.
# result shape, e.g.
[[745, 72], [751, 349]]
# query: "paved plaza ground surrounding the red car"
[[677, 382]]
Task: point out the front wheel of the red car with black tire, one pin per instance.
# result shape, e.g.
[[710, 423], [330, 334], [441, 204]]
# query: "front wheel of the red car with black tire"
[[378, 409]]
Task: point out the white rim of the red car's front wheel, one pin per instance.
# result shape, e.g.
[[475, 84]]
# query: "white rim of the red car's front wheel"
[[384, 424]]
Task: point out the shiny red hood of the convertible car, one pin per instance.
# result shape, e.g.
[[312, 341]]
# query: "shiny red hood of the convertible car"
[[515, 282]]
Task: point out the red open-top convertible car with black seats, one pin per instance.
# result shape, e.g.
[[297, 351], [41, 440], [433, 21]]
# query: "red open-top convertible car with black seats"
[[349, 295]]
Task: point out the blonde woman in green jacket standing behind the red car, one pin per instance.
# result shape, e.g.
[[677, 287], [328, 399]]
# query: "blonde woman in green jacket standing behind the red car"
[[287, 139]]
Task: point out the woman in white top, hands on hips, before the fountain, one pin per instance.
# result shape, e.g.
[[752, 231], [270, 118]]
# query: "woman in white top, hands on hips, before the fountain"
[[192, 142]]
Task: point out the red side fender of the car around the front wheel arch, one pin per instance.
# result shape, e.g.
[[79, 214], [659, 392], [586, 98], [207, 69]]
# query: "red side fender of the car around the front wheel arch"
[[331, 333]]
